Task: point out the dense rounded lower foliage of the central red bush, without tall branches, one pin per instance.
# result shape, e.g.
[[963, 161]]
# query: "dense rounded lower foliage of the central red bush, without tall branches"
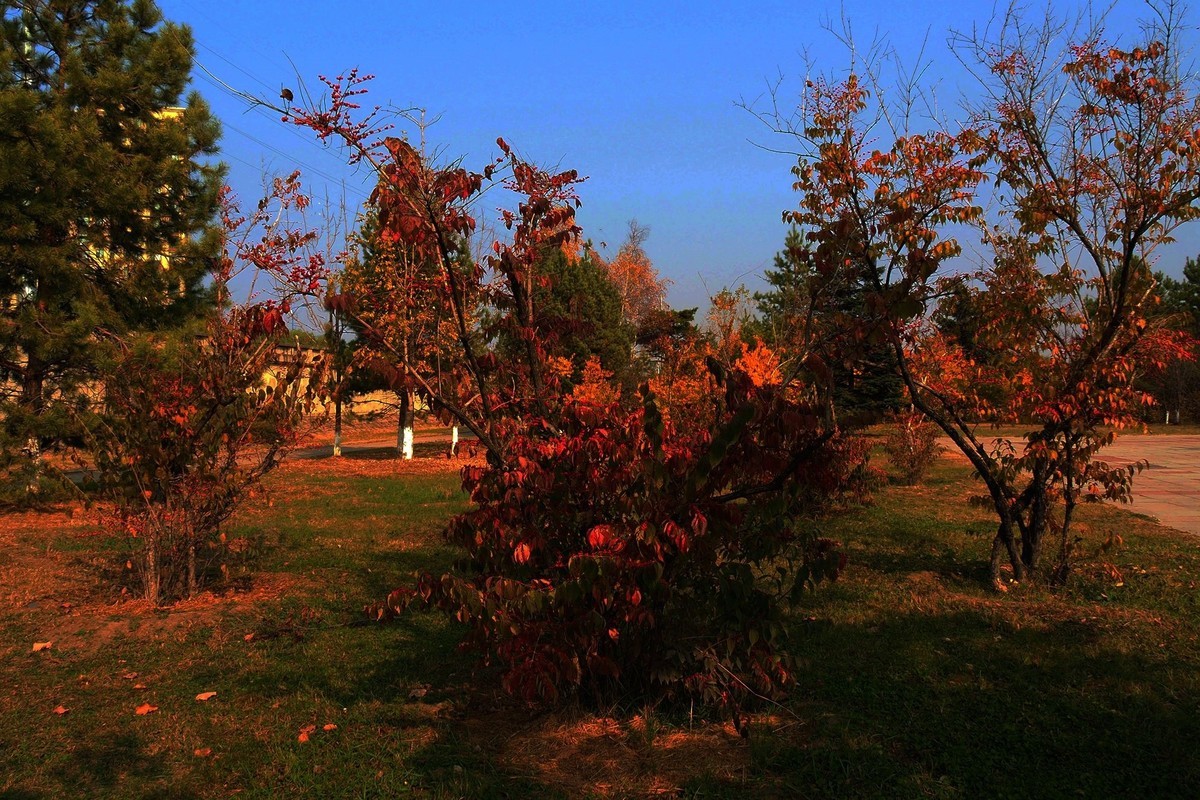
[[615, 558]]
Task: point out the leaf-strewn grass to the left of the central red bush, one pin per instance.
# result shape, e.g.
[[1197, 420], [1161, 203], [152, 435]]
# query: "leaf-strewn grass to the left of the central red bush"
[[332, 546]]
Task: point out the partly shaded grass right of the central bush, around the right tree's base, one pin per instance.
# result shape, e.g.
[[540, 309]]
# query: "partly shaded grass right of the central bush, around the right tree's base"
[[917, 682]]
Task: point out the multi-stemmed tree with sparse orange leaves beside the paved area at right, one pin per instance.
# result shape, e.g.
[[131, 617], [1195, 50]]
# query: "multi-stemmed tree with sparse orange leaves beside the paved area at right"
[[1094, 149]]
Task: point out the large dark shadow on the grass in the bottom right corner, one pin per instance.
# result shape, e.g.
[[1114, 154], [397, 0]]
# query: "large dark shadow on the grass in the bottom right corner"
[[958, 706]]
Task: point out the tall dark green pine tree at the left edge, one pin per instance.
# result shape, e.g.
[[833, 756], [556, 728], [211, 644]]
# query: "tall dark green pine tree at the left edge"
[[106, 206]]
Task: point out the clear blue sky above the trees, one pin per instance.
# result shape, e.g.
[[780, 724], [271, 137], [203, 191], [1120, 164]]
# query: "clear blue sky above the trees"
[[641, 98]]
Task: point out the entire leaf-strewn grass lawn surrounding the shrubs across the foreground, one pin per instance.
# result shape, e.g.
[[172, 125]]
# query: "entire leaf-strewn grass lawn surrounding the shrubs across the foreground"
[[917, 681]]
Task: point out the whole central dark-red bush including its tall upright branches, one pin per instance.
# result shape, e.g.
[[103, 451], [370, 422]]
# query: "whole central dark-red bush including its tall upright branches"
[[611, 549]]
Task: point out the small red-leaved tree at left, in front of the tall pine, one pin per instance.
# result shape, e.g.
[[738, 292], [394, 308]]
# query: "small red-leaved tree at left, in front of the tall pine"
[[189, 426]]
